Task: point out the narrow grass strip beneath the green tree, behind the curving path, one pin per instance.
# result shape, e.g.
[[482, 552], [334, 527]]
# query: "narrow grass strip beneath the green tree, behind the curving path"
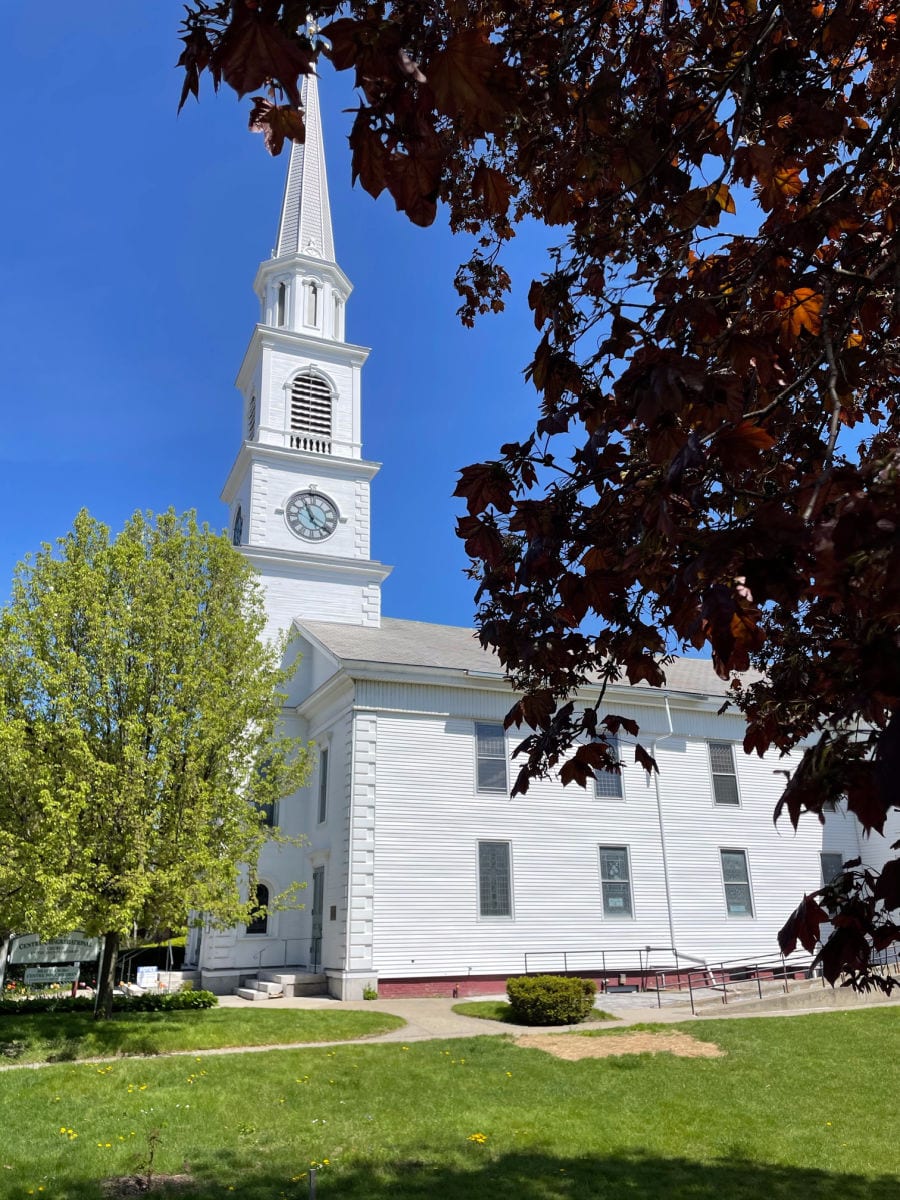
[[49, 1037]]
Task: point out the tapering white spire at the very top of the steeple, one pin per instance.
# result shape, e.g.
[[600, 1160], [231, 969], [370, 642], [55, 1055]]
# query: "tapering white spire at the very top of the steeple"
[[305, 226]]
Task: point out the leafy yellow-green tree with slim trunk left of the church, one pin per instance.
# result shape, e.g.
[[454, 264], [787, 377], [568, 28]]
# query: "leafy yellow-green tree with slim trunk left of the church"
[[142, 735]]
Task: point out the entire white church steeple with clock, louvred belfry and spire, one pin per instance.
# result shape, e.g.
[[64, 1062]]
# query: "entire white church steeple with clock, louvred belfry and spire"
[[298, 491]]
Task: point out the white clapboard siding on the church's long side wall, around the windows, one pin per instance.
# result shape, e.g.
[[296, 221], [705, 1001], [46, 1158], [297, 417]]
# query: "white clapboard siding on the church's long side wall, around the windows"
[[430, 820]]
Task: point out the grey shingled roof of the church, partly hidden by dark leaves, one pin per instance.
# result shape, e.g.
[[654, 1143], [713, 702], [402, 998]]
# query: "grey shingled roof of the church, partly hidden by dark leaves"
[[416, 644]]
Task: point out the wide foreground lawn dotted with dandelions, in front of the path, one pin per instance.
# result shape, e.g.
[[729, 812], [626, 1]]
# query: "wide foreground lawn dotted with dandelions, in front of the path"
[[802, 1107]]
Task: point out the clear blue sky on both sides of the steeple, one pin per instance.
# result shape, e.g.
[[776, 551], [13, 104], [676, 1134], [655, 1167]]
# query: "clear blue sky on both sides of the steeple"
[[129, 243]]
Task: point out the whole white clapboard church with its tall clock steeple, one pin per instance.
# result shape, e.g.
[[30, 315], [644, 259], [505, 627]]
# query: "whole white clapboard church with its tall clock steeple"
[[423, 875]]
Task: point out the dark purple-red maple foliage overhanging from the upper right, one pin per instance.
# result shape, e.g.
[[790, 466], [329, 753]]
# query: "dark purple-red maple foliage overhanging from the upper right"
[[716, 460]]
